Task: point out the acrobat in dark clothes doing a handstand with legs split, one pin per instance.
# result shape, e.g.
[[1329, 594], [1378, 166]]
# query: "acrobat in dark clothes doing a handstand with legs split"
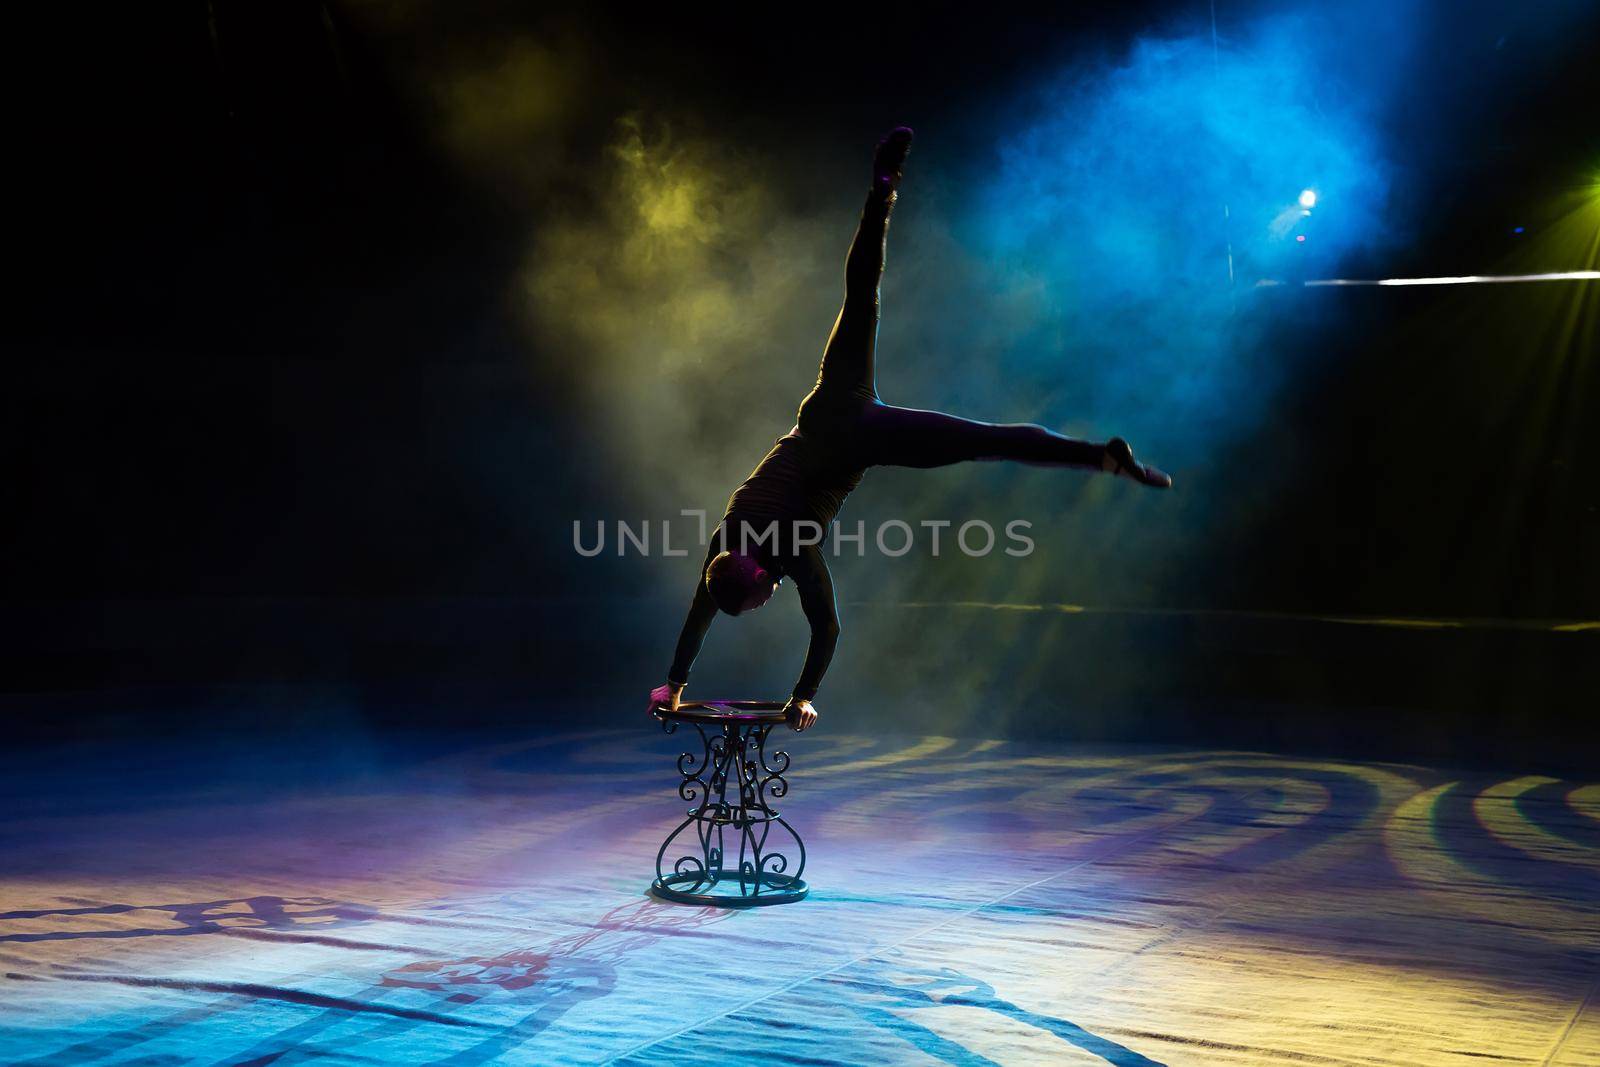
[[777, 519]]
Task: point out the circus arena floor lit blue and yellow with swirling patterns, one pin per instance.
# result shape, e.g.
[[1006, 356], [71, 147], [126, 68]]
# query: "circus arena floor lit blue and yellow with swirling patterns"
[[479, 900]]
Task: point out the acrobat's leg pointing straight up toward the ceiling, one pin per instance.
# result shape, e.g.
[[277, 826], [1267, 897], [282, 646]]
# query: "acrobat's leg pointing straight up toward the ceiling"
[[849, 370]]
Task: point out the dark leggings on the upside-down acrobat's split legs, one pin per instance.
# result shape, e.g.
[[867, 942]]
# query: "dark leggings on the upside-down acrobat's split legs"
[[846, 414]]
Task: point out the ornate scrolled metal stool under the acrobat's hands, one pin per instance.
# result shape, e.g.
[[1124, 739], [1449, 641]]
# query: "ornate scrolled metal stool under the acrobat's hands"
[[734, 756]]
